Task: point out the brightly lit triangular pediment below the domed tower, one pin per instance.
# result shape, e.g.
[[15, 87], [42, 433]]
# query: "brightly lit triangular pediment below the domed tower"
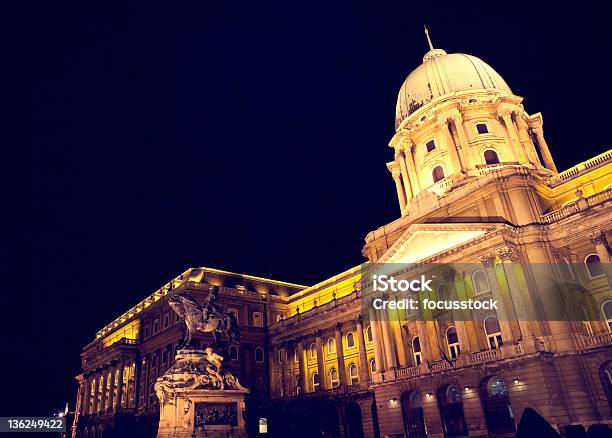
[[420, 241]]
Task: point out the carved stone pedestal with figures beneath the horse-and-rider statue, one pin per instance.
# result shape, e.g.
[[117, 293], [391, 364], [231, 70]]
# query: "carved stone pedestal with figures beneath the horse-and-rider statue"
[[197, 398]]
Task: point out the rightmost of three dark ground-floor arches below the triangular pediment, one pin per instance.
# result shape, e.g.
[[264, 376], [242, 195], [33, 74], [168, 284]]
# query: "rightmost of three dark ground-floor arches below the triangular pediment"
[[496, 406]]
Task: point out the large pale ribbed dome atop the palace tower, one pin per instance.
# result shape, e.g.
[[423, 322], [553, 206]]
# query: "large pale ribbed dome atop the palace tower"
[[442, 73]]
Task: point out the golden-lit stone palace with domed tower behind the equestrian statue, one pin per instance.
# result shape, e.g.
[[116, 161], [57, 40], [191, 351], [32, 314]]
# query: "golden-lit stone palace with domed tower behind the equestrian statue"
[[476, 183]]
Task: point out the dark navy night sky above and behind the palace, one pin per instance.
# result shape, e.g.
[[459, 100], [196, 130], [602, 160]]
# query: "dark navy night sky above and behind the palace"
[[250, 137]]
